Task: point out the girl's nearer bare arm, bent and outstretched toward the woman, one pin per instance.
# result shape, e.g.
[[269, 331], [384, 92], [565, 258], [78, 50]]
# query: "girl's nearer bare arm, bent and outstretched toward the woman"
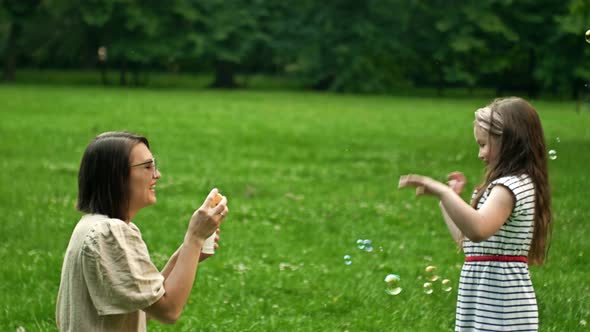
[[476, 225]]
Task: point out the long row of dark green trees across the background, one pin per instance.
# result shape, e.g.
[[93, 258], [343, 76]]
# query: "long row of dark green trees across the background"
[[373, 46]]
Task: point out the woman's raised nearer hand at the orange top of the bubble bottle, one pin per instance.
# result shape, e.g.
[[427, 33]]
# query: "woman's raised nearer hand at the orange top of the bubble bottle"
[[206, 219]]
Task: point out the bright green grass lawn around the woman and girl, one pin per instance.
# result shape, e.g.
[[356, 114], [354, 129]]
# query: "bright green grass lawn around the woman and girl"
[[306, 176]]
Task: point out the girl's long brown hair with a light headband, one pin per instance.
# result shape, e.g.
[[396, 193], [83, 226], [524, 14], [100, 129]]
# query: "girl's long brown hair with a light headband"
[[522, 150]]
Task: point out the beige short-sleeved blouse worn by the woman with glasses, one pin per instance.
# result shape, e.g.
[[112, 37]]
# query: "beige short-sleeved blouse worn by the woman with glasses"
[[107, 278]]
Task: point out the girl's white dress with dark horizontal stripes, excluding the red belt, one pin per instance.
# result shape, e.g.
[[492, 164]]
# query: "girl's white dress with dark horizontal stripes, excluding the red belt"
[[499, 296]]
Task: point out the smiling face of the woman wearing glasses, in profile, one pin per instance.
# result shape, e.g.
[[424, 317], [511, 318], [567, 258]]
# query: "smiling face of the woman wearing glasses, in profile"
[[142, 180]]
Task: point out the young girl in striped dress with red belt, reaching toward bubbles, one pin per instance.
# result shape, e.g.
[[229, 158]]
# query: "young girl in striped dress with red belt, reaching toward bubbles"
[[508, 224]]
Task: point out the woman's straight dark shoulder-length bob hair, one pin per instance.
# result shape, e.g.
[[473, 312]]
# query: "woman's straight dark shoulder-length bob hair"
[[103, 180]]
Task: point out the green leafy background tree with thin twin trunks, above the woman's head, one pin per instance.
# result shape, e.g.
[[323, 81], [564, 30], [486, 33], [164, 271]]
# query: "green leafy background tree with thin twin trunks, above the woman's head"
[[138, 35]]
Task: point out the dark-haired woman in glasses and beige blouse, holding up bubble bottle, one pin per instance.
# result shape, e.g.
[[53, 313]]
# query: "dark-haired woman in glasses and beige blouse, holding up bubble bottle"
[[108, 282]]
